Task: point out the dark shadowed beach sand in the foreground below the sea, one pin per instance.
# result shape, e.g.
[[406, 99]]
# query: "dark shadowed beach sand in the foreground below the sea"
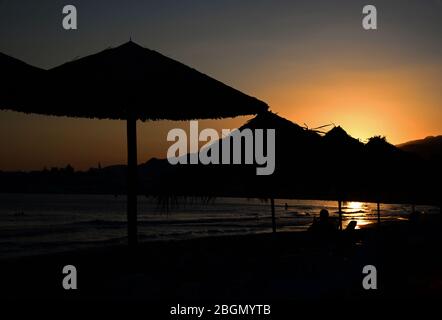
[[263, 267]]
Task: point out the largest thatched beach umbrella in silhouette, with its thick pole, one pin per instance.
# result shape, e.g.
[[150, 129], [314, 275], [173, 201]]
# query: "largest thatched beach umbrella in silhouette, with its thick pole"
[[133, 83]]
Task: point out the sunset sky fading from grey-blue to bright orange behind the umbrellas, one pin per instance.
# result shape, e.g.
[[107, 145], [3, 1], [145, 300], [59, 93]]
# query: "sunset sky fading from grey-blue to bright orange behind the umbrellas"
[[311, 61]]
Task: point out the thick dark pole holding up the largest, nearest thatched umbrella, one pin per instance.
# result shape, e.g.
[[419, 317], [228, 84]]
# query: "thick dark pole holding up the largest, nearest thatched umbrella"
[[132, 181]]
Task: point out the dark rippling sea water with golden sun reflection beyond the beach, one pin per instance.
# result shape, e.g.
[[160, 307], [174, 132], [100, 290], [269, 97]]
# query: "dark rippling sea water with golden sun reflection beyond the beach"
[[44, 223]]
